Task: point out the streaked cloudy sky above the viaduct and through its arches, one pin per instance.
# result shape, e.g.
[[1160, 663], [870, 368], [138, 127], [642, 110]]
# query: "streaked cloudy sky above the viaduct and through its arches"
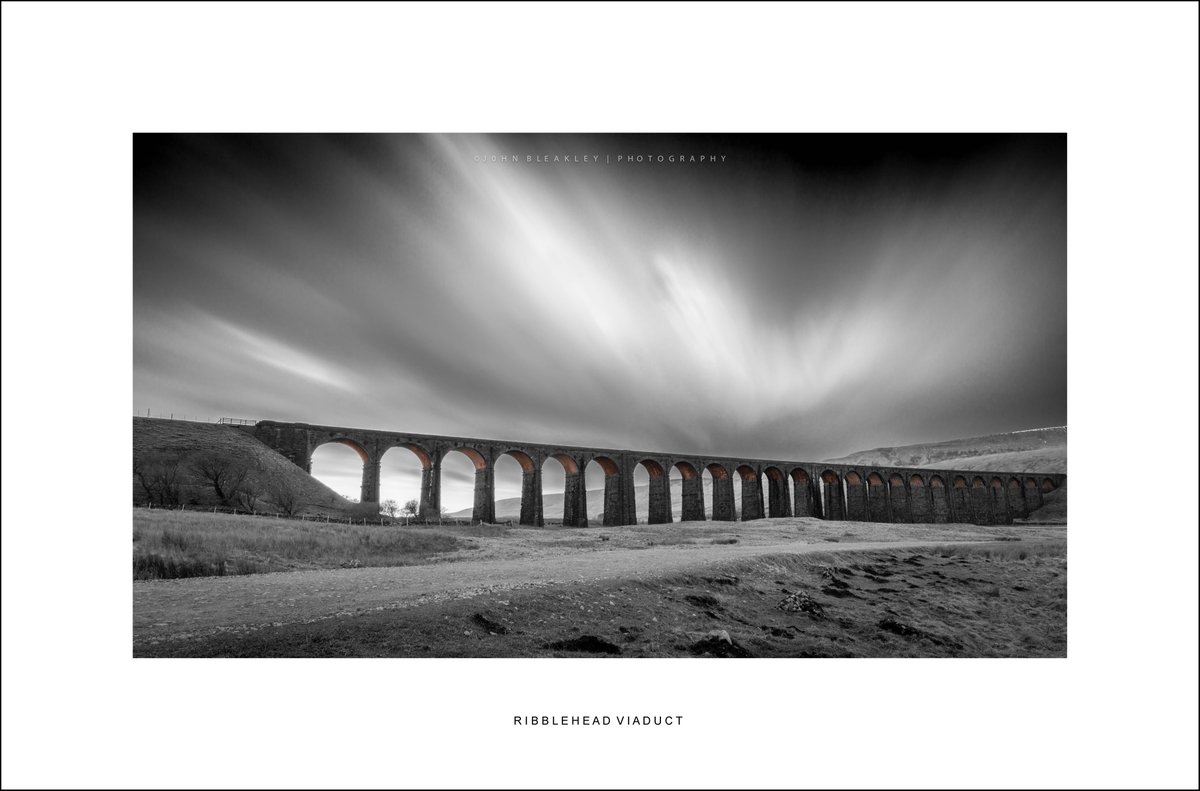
[[791, 297]]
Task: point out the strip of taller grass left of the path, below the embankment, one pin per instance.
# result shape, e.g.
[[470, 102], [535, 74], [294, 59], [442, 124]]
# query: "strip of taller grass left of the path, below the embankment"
[[185, 544]]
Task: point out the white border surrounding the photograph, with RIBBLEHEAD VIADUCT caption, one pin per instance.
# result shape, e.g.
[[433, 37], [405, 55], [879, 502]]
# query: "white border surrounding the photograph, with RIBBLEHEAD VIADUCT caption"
[[79, 80]]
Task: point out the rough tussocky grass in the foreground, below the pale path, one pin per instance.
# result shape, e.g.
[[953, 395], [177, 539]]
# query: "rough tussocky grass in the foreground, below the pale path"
[[998, 600]]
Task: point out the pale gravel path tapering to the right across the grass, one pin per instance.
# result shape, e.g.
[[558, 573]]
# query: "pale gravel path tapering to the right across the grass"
[[195, 608]]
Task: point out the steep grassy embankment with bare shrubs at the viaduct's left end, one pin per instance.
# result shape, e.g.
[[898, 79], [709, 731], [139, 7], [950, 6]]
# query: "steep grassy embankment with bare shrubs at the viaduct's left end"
[[158, 444]]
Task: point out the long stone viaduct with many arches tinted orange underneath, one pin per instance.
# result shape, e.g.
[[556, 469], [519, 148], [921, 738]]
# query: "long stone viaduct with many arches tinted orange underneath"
[[857, 493]]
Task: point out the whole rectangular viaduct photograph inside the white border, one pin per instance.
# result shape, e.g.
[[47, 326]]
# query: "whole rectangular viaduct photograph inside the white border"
[[620, 395]]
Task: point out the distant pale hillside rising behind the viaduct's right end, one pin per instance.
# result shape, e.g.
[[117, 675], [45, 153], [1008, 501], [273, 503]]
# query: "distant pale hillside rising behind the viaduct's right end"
[[1041, 451]]
